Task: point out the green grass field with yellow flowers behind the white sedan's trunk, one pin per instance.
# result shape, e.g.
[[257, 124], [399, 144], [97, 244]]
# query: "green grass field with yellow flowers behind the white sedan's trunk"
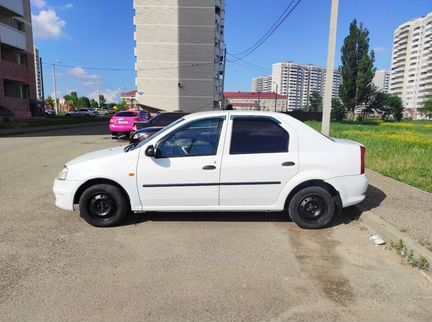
[[402, 151]]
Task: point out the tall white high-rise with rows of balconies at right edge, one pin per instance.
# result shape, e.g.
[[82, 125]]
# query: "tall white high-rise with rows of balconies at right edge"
[[411, 73]]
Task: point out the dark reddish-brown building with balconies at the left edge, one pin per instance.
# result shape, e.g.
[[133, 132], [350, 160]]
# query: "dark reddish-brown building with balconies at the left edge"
[[17, 71]]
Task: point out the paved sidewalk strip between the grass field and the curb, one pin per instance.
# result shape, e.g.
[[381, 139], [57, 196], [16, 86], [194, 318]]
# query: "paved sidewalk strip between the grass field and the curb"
[[407, 209]]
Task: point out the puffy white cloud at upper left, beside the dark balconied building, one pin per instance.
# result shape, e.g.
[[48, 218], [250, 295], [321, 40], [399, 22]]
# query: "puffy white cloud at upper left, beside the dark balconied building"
[[47, 25]]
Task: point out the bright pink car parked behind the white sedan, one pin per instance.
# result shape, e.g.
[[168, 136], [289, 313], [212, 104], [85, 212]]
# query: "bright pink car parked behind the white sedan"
[[123, 122]]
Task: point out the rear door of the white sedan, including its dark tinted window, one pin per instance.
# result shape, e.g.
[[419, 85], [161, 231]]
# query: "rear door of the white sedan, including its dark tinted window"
[[260, 157]]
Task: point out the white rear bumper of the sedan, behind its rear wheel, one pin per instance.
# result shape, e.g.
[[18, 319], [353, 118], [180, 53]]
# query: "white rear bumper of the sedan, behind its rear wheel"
[[352, 189]]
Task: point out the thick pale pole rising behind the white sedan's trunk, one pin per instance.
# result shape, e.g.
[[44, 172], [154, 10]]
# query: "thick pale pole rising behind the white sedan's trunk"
[[325, 126]]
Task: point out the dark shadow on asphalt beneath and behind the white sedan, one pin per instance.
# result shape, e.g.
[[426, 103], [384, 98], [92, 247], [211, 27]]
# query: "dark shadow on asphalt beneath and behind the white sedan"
[[374, 197]]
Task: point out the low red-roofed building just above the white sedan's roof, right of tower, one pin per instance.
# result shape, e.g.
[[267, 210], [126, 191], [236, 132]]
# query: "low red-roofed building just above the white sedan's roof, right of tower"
[[255, 101]]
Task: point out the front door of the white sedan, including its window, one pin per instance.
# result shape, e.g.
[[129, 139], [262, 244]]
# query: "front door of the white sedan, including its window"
[[186, 172]]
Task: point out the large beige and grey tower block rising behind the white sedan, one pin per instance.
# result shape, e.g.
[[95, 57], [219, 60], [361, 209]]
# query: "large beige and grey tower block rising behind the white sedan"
[[180, 53]]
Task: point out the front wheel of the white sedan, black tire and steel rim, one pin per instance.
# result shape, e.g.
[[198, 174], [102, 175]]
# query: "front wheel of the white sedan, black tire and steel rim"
[[103, 205]]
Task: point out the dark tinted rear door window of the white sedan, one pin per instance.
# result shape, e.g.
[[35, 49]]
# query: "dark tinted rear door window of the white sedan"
[[258, 135]]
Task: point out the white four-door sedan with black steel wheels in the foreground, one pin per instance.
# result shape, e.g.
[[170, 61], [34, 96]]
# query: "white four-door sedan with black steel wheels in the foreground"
[[219, 161]]
